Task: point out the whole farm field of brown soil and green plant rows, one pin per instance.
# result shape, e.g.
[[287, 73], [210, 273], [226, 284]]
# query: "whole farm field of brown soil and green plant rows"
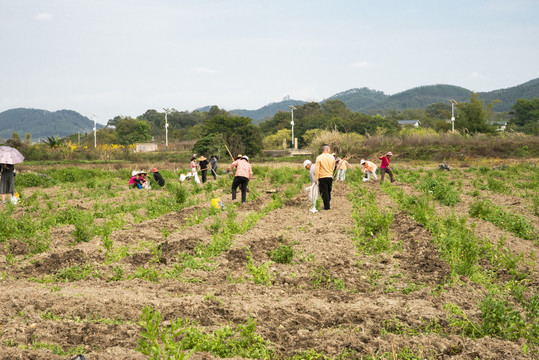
[[439, 265]]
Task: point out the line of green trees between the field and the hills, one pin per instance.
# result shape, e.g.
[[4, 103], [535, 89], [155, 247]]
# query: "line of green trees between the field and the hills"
[[216, 128]]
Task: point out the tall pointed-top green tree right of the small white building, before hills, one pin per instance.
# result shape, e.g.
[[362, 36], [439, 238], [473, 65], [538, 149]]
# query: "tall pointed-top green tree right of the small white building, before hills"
[[474, 115]]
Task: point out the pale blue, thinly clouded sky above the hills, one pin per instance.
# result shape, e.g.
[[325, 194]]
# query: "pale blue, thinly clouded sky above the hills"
[[106, 58]]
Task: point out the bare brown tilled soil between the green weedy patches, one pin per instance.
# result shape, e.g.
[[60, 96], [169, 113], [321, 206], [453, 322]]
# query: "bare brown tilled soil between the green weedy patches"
[[330, 298]]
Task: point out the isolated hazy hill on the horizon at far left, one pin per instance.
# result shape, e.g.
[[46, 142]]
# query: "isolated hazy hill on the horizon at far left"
[[43, 123]]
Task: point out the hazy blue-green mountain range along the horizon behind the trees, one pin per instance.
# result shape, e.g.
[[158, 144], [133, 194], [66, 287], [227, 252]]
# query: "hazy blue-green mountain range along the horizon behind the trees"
[[42, 123]]
